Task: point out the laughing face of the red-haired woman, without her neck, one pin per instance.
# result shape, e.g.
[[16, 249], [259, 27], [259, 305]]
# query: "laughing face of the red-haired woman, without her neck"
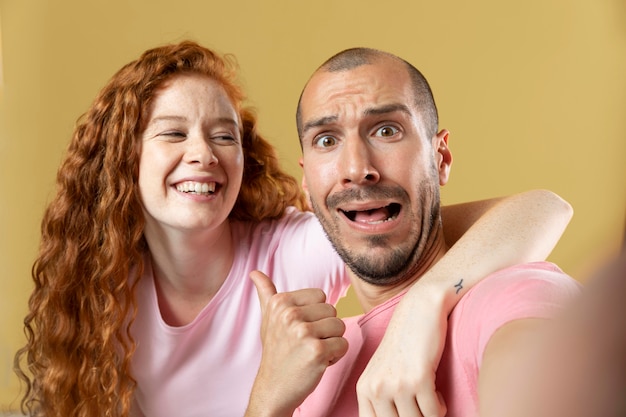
[[191, 163]]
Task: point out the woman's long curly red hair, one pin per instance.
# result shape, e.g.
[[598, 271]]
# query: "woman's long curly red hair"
[[77, 359]]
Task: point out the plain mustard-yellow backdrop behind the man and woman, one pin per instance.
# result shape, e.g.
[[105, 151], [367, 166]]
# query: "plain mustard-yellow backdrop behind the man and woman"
[[533, 92]]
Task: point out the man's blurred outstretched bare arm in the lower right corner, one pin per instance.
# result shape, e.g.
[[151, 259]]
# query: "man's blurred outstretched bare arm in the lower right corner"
[[578, 366]]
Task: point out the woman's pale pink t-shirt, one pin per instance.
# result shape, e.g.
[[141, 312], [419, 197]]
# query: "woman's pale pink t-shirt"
[[207, 367]]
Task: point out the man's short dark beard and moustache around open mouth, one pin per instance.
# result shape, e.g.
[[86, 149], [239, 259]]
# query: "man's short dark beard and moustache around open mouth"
[[398, 262]]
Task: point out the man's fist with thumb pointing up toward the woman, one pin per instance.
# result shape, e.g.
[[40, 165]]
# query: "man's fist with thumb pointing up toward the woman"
[[301, 336]]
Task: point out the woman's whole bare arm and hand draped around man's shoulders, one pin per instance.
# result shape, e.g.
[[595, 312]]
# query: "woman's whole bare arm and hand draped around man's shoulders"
[[497, 233]]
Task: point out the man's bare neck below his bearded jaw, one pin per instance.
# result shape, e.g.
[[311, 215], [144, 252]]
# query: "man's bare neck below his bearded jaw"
[[370, 295]]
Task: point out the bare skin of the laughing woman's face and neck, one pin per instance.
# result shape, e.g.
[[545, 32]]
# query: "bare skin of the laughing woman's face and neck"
[[192, 138]]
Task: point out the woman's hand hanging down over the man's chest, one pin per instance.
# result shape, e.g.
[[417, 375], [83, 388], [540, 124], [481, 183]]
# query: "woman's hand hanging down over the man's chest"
[[400, 377]]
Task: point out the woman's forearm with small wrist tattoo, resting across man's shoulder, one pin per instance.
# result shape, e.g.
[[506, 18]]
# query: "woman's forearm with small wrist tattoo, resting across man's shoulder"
[[516, 229]]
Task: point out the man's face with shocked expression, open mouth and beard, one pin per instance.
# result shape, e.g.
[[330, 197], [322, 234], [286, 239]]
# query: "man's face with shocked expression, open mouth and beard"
[[371, 174]]
